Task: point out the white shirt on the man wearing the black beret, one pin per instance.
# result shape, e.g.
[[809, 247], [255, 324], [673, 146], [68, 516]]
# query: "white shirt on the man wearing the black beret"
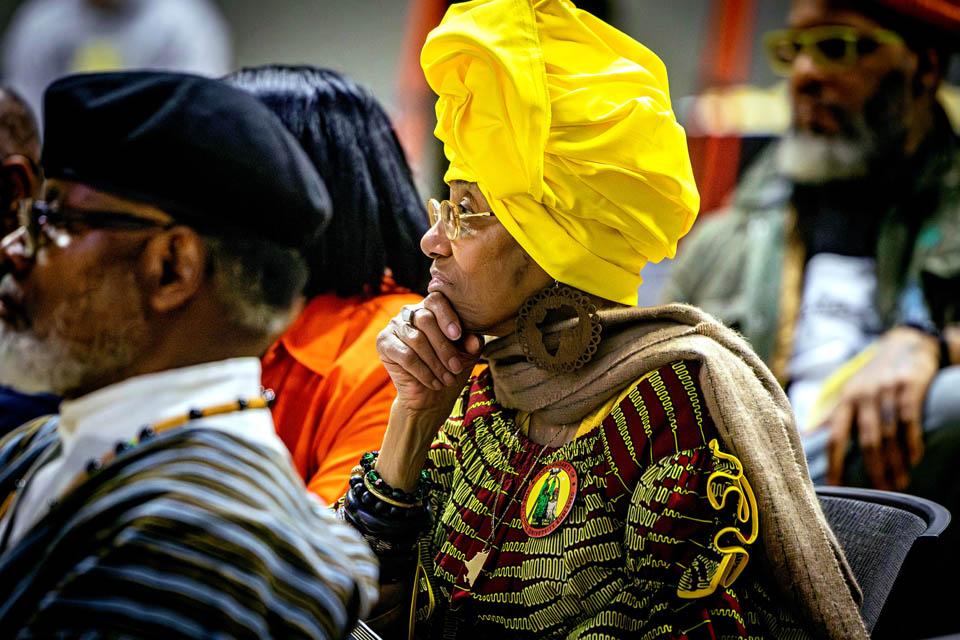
[[91, 426]]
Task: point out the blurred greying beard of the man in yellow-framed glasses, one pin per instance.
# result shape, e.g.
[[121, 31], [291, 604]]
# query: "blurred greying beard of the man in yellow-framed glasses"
[[807, 158]]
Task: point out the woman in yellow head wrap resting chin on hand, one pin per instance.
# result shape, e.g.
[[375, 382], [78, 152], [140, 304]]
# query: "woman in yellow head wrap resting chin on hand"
[[609, 474]]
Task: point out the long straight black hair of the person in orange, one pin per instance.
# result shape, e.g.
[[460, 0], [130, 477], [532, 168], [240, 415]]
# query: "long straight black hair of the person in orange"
[[378, 218]]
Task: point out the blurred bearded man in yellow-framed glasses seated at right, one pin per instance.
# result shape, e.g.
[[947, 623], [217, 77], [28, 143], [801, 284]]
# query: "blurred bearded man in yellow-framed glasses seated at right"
[[845, 235]]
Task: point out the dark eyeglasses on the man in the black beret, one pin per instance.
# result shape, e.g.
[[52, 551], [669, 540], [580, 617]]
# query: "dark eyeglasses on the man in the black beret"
[[42, 223]]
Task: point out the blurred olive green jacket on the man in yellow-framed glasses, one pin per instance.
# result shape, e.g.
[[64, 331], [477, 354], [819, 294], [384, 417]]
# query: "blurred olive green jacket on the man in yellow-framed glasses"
[[732, 264]]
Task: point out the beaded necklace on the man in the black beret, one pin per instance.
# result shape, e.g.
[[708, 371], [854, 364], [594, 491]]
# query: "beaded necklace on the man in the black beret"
[[147, 432]]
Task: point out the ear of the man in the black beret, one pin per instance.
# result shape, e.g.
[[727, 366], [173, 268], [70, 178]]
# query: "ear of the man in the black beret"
[[174, 269]]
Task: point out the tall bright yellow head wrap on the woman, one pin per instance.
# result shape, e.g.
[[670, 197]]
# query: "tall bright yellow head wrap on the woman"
[[565, 123]]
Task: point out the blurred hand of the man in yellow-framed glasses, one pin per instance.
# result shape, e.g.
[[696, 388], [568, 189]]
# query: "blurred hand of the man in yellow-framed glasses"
[[882, 405]]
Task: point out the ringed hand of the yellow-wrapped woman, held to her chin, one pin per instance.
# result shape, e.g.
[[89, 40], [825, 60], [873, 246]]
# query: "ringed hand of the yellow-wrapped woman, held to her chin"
[[428, 359]]
